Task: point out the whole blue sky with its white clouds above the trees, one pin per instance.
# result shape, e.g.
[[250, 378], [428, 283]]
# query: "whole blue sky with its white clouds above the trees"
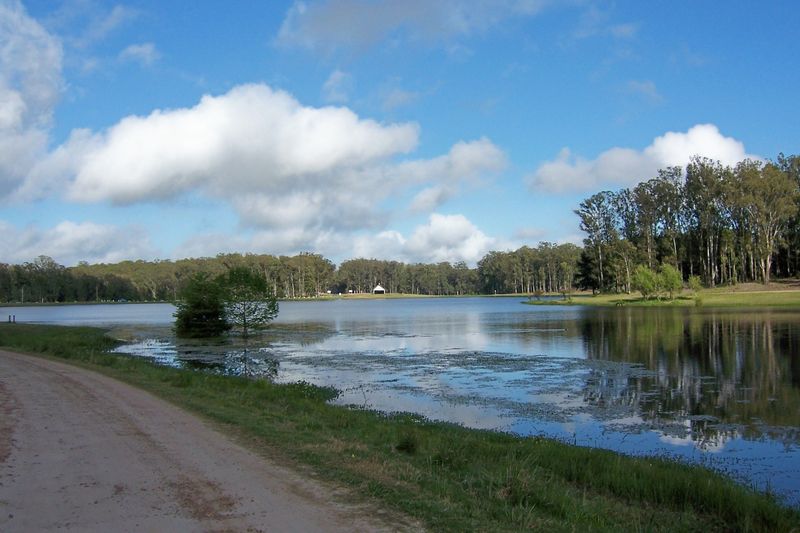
[[414, 130]]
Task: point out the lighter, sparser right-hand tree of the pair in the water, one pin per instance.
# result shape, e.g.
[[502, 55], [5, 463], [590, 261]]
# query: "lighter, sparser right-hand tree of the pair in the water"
[[250, 304]]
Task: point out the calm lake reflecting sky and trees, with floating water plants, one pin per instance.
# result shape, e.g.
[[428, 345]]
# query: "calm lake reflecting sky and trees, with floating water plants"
[[711, 386]]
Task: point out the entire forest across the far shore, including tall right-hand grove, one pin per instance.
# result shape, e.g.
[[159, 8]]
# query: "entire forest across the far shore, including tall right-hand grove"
[[724, 224]]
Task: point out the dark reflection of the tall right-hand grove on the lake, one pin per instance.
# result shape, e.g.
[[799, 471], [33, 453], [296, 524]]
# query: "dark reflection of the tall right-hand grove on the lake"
[[740, 368]]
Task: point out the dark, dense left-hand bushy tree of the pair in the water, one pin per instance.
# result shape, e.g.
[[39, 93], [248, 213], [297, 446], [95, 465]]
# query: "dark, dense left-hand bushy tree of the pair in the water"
[[201, 311]]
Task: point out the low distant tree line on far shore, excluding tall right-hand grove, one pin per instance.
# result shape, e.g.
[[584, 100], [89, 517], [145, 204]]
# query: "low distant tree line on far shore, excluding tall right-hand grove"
[[545, 268]]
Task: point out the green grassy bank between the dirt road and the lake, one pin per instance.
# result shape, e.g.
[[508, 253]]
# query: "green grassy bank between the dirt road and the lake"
[[445, 476]]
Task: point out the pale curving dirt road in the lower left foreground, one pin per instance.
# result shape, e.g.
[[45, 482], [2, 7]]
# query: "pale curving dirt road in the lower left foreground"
[[83, 452]]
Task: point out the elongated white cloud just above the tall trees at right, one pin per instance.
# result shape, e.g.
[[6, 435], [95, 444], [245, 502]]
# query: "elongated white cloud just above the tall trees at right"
[[626, 166]]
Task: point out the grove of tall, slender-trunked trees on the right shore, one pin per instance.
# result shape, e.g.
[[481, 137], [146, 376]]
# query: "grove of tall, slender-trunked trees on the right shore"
[[725, 224]]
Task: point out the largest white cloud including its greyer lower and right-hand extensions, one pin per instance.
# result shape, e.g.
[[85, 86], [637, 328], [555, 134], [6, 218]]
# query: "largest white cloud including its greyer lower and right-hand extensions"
[[291, 172]]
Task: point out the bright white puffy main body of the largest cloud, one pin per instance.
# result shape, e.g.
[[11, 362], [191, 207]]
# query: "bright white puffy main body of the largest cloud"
[[251, 139]]
